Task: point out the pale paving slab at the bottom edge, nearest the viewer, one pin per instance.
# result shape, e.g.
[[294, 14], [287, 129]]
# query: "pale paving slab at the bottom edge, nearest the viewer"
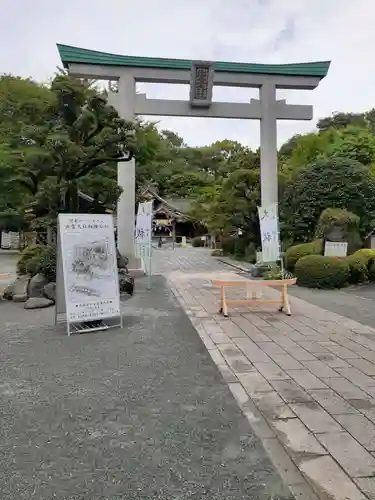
[[330, 480]]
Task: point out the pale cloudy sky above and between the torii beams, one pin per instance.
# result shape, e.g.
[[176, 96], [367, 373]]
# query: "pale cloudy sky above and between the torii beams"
[[260, 31]]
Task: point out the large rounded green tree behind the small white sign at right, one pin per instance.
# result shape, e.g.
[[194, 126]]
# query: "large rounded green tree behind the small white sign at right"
[[327, 183]]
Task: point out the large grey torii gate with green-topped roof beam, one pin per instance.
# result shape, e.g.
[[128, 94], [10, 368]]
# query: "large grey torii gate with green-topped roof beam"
[[201, 76]]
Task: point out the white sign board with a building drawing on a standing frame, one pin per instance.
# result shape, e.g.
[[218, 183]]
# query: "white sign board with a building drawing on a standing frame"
[[93, 311]]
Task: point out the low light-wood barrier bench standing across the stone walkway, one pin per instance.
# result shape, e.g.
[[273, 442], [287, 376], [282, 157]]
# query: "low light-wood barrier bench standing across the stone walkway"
[[253, 285]]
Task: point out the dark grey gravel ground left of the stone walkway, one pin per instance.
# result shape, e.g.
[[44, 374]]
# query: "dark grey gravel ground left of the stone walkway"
[[138, 413]]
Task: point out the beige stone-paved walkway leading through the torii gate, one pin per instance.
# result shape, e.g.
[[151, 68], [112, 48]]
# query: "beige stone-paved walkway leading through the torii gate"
[[306, 383]]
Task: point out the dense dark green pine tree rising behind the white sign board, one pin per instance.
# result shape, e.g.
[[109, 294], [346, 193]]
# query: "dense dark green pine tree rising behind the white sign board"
[[80, 133]]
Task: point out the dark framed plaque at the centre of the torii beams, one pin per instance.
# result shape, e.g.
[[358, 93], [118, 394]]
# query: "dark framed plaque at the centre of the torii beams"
[[201, 84]]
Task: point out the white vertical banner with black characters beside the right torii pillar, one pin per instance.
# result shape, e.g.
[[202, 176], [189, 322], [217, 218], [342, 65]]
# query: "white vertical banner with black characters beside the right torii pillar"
[[269, 232]]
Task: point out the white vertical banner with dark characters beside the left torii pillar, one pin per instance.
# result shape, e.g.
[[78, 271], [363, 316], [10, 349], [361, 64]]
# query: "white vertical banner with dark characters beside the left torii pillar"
[[143, 236]]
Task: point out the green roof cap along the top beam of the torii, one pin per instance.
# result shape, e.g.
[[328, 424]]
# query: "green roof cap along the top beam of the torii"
[[76, 55]]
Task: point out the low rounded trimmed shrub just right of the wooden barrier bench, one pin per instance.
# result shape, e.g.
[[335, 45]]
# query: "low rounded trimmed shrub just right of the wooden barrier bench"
[[318, 271]]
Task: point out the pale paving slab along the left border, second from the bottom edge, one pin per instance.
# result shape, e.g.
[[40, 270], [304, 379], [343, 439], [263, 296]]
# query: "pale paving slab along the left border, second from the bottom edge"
[[294, 435]]
